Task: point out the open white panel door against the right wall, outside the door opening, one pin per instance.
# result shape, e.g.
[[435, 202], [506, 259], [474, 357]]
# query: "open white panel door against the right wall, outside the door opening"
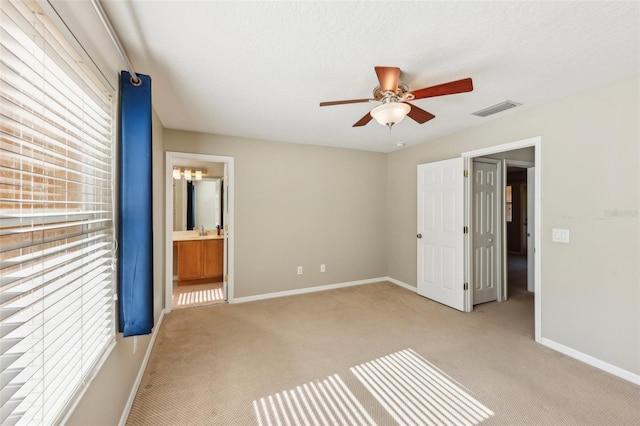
[[440, 232]]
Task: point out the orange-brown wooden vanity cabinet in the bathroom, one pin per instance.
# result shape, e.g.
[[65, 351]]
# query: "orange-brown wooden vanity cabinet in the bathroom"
[[199, 260]]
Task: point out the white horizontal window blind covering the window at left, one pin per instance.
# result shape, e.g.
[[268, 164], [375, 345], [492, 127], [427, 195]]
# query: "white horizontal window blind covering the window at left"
[[56, 219]]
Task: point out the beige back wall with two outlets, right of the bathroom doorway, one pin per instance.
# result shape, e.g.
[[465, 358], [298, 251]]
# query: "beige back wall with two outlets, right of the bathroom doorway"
[[300, 205]]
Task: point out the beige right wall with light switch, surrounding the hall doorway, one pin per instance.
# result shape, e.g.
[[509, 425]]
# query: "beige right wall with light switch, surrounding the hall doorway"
[[590, 185]]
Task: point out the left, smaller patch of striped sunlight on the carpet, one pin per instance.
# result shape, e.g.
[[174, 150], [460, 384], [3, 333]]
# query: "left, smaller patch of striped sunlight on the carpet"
[[315, 403]]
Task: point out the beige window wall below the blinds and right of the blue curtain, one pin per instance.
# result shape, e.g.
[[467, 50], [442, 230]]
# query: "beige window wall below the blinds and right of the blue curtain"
[[106, 397]]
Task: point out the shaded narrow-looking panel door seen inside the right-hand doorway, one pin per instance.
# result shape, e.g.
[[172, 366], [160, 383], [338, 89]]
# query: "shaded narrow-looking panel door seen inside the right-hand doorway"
[[485, 278]]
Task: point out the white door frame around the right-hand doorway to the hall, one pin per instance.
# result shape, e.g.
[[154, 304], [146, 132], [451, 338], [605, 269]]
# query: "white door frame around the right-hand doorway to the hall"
[[535, 142]]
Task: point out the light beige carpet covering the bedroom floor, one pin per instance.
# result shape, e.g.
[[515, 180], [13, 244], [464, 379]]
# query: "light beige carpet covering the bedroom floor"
[[238, 364]]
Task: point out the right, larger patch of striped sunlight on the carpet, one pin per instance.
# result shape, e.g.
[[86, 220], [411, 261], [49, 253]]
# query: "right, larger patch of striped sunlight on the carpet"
[[413, 391]]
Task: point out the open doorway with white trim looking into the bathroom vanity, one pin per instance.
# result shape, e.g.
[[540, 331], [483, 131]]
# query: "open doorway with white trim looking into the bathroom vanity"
[[182, 226]]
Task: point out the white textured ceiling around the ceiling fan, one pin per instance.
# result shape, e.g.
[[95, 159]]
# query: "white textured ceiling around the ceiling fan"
[[260, 69]]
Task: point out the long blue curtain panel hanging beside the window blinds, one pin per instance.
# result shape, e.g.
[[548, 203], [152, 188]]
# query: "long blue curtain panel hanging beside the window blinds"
[[135, 233]]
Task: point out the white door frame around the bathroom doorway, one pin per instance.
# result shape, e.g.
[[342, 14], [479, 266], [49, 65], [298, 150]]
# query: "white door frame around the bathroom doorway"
[[171, 156]]
